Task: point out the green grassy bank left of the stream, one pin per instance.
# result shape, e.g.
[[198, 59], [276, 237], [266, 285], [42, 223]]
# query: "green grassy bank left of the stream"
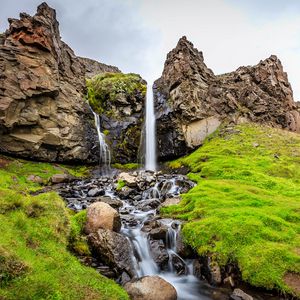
[[35, 236]]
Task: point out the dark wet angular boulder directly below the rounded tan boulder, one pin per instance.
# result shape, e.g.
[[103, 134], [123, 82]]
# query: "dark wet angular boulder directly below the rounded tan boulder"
[[114, 249]]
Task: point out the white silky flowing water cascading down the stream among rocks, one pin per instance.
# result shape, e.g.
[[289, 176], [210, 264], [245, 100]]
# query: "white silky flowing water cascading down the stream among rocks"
[[186, 284]]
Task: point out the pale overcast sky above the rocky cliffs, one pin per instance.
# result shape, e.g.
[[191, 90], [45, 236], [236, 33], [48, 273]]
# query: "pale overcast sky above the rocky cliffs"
[[136, 35]]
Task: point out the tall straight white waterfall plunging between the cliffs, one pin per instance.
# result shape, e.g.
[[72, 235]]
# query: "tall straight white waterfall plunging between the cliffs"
[[150, 156]]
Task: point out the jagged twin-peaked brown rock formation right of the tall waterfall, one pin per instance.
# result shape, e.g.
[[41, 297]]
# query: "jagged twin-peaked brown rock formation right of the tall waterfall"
[[191, 102]]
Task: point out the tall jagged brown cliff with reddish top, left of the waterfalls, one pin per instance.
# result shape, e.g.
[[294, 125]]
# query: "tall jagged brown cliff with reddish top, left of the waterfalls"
[[42, 84]]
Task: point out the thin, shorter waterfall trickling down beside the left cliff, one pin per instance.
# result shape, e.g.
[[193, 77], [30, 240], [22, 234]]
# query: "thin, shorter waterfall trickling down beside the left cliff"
[[104, 153]]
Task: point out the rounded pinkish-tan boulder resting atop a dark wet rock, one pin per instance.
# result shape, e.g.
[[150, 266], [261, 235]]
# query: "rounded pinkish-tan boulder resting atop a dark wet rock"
[[102, 215]]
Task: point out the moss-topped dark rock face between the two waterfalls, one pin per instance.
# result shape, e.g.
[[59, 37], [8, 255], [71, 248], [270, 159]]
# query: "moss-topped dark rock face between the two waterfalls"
[[119, 100]]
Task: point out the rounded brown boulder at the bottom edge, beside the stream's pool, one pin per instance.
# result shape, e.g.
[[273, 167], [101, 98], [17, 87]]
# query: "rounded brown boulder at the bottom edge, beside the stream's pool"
[[150, 288]]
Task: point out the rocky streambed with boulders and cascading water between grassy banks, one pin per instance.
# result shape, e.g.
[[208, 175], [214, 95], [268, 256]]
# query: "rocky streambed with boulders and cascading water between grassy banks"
[[145, 253]]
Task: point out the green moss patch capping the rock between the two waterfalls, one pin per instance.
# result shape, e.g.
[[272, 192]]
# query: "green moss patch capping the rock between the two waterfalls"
[[110, 87]]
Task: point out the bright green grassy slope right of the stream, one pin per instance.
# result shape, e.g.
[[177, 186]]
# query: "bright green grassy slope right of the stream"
[[246, 205]]
